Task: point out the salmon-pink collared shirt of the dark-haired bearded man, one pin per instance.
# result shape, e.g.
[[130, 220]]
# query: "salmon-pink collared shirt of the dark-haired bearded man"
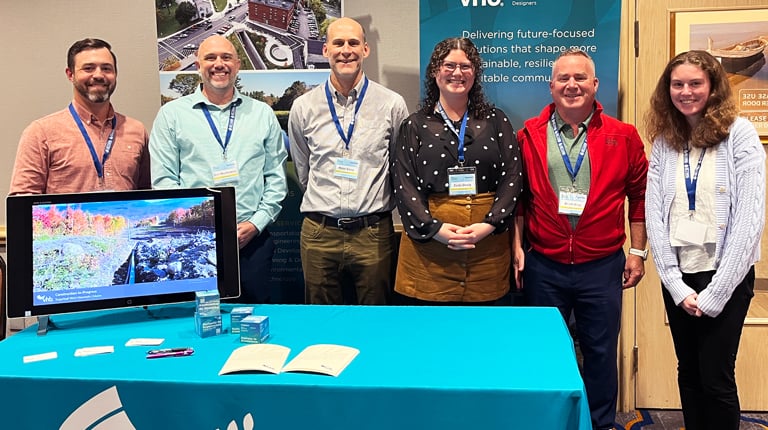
[[53, 157]]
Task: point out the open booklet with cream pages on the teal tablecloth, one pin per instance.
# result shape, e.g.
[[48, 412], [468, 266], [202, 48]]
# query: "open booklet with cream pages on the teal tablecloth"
[[264, 357]]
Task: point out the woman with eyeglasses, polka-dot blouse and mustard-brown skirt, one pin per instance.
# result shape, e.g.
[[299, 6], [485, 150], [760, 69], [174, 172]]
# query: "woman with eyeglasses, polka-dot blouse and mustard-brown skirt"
[[457, 176]]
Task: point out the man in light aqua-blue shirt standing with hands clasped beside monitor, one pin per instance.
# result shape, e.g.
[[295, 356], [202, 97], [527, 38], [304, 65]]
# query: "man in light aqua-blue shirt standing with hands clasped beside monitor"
[[219, 137]]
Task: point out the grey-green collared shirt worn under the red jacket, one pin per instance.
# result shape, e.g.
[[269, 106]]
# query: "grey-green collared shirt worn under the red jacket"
[[558, 173]]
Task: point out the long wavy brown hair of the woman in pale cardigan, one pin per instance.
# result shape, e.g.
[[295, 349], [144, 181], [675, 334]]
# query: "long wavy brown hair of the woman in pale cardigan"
[[665, 121]]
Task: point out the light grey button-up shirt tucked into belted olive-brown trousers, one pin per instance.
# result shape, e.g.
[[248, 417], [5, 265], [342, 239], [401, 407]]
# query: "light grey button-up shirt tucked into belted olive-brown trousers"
[[316, 145]]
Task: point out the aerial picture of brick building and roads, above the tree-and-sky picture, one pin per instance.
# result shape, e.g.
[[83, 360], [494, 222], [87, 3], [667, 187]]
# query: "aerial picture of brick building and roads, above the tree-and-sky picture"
[[268, 34]]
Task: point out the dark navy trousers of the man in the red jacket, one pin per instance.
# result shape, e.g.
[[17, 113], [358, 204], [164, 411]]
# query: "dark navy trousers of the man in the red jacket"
[[593, 292]]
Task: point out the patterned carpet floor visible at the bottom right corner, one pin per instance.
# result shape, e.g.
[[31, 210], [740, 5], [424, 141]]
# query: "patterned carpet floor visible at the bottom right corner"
[[655, 419]]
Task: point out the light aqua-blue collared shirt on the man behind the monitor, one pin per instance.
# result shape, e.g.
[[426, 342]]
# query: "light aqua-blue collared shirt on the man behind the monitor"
[[184, 152]]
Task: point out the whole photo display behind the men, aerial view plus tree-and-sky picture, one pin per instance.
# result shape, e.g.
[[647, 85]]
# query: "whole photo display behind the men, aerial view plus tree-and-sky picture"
[[279, 42]]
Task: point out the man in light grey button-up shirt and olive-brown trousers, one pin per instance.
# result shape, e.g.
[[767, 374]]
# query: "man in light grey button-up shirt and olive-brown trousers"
[[340, 133]]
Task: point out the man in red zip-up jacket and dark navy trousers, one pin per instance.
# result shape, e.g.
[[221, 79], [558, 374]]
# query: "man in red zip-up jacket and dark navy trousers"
[[581, 166]]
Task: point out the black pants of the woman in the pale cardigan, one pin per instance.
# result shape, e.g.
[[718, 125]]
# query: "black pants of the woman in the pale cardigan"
[[706, 355]]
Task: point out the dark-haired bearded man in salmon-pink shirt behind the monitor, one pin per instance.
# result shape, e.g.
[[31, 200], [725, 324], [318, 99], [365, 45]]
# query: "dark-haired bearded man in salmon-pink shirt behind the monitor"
[[87, 146]]
